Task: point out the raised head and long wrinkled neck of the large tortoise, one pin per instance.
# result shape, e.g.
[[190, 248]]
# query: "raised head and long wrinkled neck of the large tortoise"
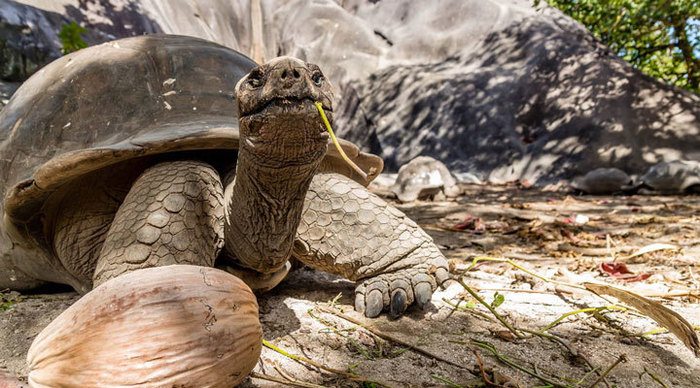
[[282, 144]]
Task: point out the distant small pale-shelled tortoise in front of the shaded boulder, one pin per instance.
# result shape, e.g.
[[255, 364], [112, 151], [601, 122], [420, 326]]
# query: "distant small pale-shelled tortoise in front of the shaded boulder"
[[424, 177]]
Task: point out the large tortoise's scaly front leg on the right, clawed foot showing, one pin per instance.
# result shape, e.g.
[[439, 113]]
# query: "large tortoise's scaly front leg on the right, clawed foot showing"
[[347, 230]]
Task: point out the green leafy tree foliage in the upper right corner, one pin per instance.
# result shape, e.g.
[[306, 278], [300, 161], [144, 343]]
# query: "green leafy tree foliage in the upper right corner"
[[659, 37]]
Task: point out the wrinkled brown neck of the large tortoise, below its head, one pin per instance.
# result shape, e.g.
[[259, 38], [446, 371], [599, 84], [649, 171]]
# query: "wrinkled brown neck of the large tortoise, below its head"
[[263, 211]]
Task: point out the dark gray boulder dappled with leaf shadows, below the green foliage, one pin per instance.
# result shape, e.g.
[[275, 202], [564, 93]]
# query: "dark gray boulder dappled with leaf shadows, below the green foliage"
[[540, 100]]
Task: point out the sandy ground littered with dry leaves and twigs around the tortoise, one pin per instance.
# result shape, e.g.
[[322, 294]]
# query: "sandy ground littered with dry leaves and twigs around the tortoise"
[[539, 230]]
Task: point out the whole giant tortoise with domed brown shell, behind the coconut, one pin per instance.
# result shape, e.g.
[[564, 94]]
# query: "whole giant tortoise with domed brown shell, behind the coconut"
[[131, 155]]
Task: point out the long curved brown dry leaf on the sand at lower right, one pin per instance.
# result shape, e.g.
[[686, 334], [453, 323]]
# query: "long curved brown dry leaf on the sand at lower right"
[[664, 316]]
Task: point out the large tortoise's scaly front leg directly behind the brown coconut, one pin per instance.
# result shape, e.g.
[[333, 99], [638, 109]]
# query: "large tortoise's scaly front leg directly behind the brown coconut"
[[173, 214]]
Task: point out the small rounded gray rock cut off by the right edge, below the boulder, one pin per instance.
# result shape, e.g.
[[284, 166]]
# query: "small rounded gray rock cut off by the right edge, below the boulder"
[[673, 177]]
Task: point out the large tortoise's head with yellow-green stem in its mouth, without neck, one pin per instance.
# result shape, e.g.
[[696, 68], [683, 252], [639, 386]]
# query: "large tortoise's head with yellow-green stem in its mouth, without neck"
[[279, 123]]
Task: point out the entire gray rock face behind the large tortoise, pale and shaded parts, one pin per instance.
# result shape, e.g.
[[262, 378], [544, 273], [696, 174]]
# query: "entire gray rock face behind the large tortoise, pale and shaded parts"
[[491, 87]]
